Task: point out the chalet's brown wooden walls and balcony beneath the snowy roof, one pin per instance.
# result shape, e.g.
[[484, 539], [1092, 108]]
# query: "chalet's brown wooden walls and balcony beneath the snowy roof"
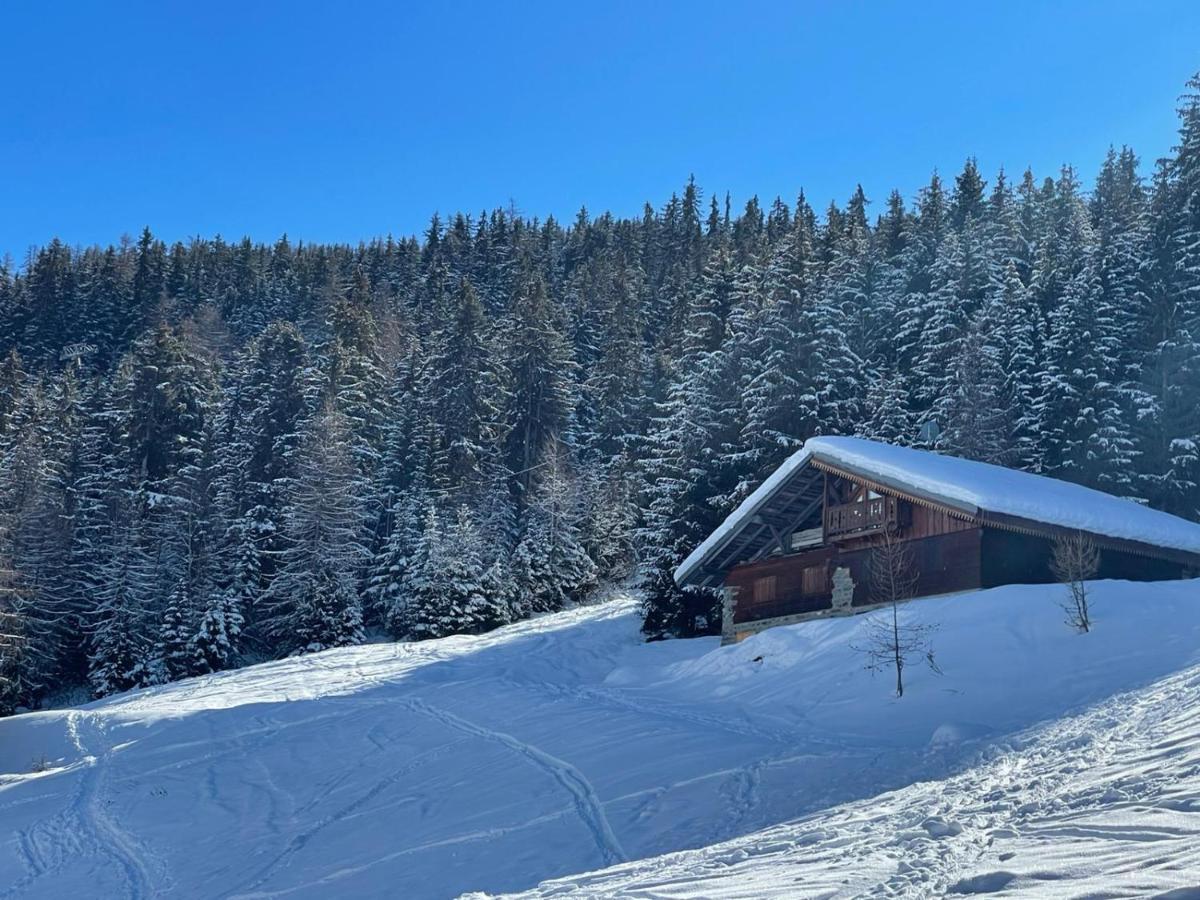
[[808, 554]]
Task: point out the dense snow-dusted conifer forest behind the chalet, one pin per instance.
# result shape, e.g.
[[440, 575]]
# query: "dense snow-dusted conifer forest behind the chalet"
[[218, 453]]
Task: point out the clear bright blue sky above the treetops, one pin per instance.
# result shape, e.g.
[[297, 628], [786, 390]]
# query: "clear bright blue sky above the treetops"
[[343, 124]]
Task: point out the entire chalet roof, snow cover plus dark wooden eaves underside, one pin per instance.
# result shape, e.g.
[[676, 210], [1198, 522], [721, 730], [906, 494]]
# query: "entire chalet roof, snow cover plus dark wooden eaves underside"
[[992, 495]]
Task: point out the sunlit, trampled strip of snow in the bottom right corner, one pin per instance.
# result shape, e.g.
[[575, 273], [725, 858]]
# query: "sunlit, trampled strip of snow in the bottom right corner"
[[969, 833]]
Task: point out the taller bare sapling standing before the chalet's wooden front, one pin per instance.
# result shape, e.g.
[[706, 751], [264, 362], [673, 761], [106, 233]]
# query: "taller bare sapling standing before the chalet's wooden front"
[[889, 644]]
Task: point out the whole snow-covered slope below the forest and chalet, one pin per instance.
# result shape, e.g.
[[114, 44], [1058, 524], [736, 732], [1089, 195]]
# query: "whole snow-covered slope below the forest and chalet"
[[1041, 764]]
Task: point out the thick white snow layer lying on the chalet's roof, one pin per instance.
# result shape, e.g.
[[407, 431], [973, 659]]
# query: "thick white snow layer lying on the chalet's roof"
[[971, 488]]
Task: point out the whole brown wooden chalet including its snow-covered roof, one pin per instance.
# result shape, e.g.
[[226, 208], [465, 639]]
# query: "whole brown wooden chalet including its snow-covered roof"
[[801, 545]]
